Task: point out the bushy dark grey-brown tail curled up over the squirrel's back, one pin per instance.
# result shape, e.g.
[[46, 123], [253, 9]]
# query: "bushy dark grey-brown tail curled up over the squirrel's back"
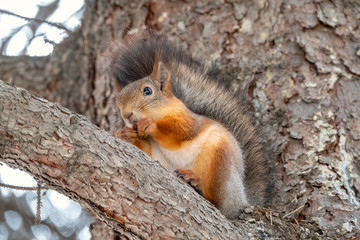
[[202, 91]]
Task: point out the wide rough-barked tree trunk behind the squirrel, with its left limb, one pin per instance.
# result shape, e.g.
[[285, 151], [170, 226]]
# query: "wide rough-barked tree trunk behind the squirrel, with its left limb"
[[297, 61]]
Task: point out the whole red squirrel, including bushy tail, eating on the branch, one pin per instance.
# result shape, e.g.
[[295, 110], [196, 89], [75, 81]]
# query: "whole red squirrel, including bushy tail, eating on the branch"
[[179, 113]]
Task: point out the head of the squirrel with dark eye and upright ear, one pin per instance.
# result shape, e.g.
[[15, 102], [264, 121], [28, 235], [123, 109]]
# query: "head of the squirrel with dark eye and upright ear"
[[146, 97]]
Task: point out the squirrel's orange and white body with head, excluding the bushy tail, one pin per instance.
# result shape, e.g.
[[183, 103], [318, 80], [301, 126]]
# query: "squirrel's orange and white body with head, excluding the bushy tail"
[[197, 147]]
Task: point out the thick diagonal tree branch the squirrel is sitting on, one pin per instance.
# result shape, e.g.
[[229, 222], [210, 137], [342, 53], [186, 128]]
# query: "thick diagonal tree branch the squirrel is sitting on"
[[117, 182]]
